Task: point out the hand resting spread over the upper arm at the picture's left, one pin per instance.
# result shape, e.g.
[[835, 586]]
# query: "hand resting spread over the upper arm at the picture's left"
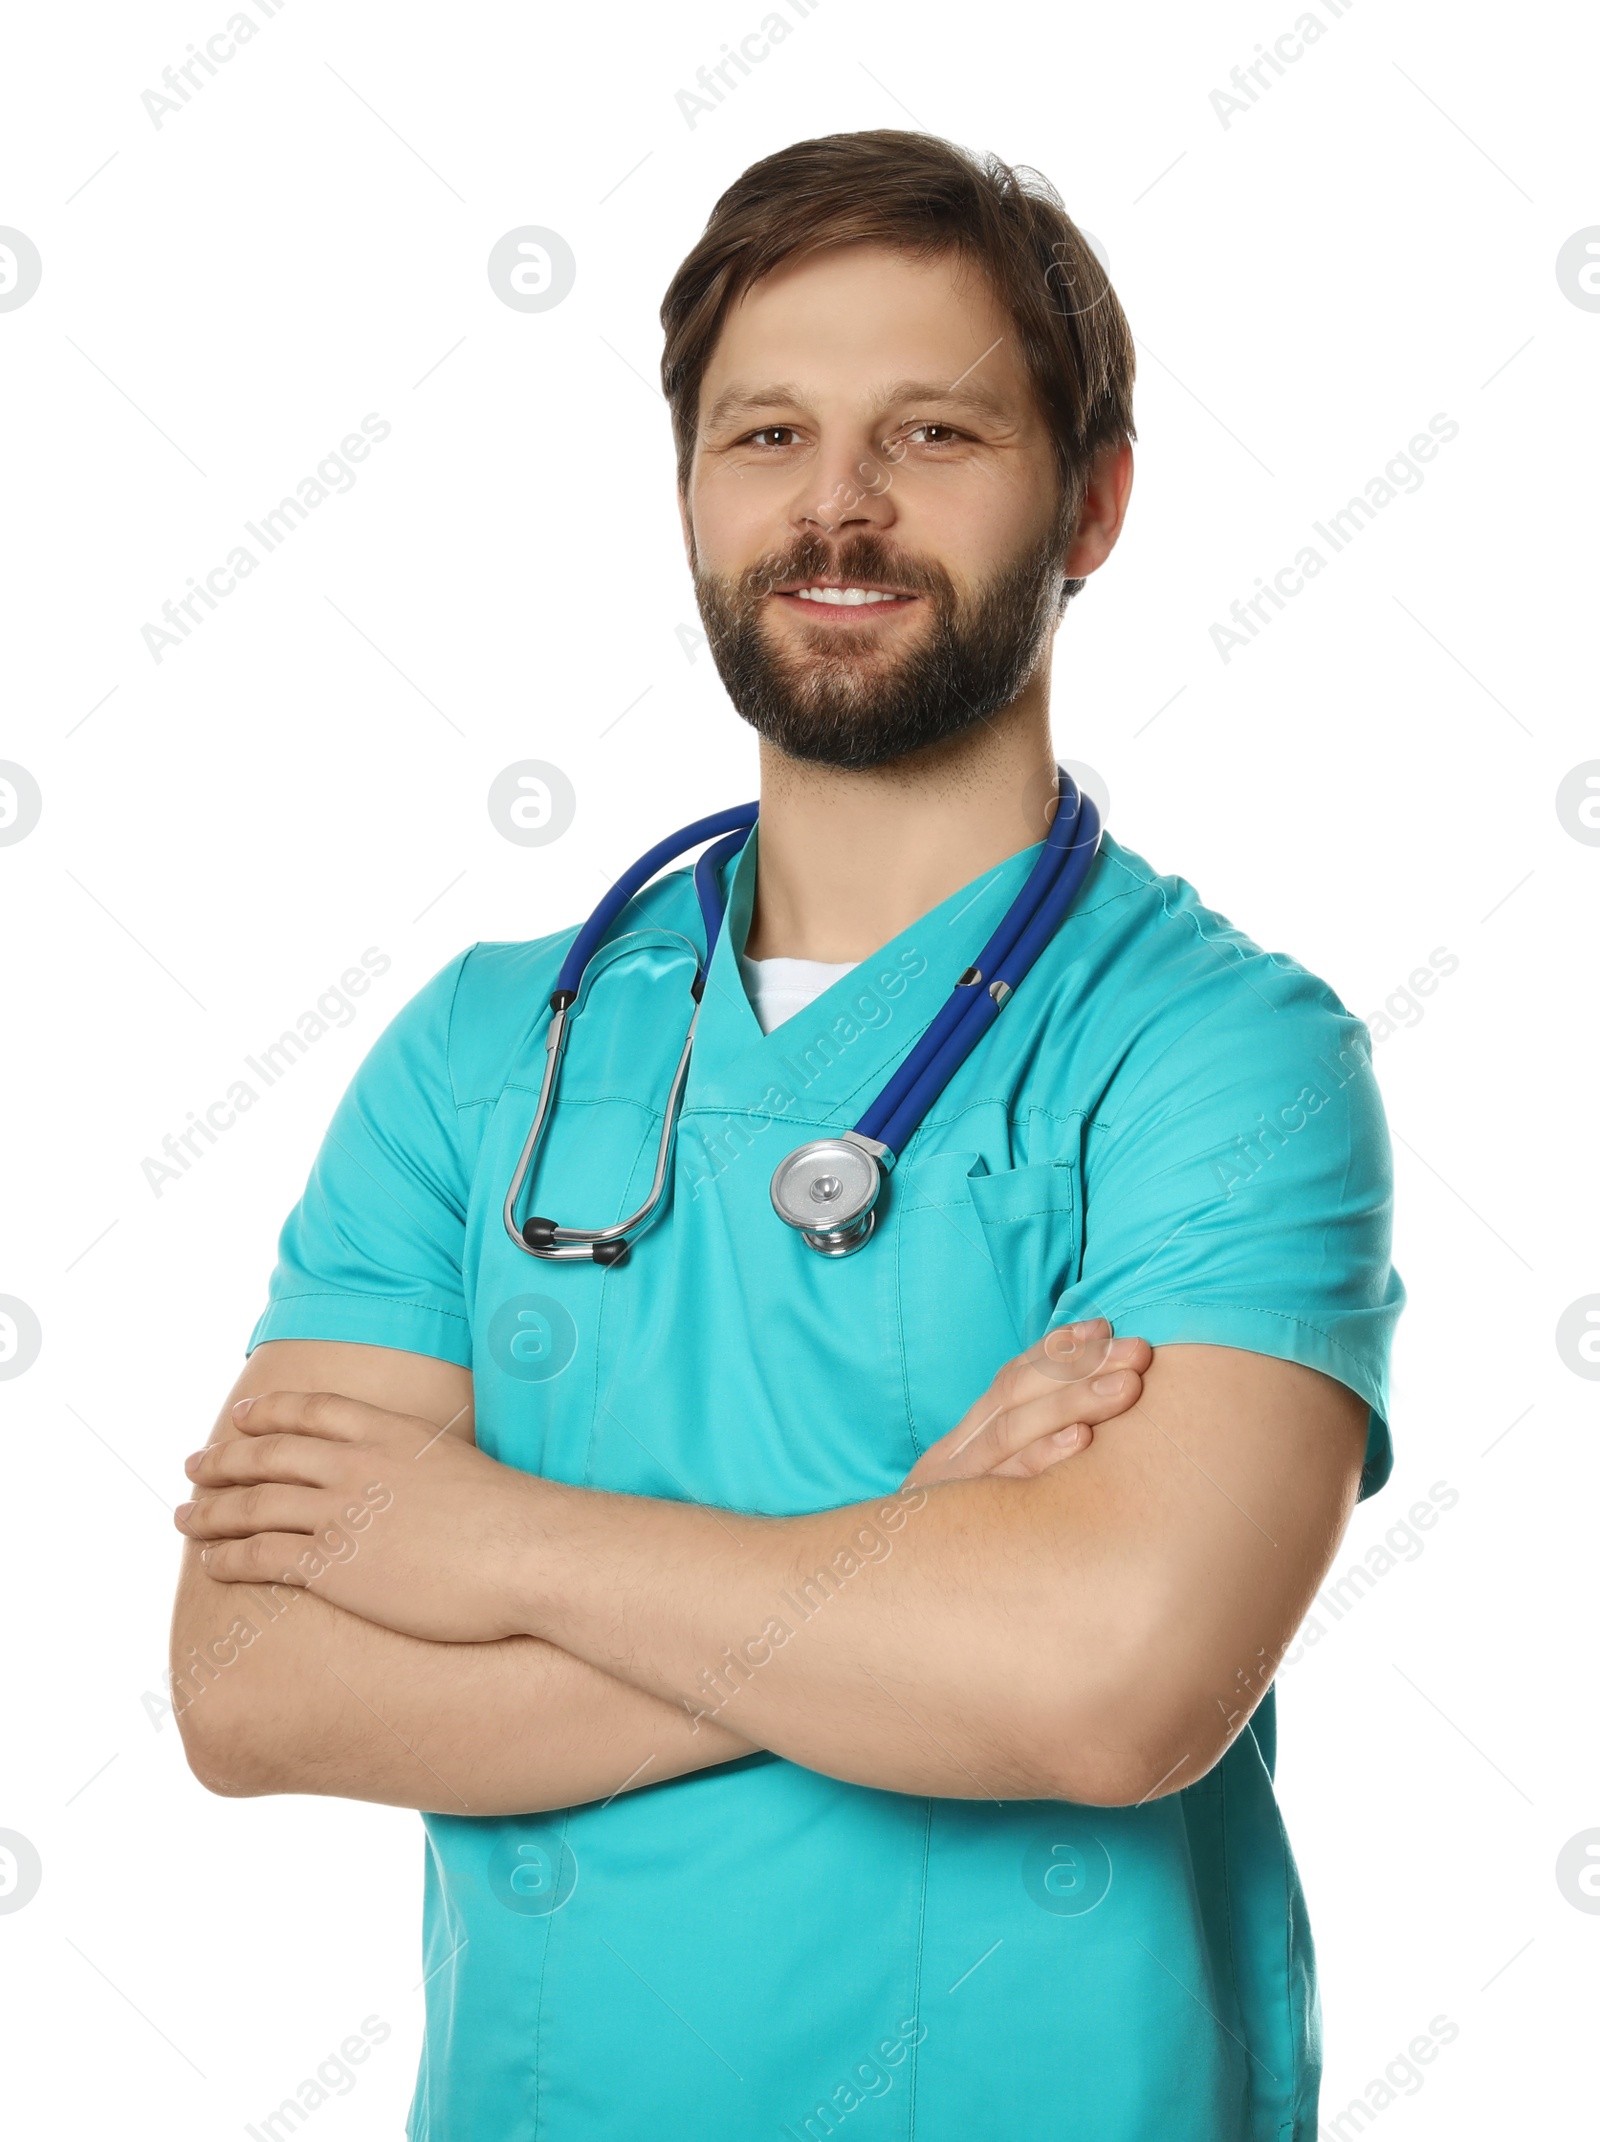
[[380, 1513]]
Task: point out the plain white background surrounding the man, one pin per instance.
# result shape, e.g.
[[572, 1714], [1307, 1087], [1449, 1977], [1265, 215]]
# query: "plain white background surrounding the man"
[[224, 832]]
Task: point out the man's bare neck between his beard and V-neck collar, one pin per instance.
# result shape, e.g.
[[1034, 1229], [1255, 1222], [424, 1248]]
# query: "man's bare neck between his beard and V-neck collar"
[[851, 860]]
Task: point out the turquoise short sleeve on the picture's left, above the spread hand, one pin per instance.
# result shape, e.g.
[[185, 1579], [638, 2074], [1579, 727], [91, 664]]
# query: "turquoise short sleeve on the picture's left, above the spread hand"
[[374, 1252]]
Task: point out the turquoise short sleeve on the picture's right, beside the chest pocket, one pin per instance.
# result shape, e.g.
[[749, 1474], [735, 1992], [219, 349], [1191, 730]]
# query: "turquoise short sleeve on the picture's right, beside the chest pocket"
[[1239, 1190]]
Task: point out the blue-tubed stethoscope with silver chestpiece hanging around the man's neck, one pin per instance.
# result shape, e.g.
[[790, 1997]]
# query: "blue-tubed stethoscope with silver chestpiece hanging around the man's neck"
[[828, 1188]]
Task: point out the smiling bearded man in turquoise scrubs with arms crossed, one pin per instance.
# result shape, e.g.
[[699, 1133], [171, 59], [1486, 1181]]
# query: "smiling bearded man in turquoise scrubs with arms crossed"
[[759, 1783]]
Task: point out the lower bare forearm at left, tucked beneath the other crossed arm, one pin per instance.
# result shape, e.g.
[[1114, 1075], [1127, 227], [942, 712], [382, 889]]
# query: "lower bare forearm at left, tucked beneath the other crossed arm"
[[305, 1698]]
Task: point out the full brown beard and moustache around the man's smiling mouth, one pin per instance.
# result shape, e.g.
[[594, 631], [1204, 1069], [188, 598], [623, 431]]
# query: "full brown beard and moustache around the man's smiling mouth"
[[856, 706]]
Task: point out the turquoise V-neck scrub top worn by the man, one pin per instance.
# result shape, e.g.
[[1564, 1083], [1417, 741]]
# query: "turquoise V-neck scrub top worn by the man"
[[1168, 1128]]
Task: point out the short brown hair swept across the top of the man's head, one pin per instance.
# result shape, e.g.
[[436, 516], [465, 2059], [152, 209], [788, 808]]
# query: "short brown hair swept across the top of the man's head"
[[920, 196]]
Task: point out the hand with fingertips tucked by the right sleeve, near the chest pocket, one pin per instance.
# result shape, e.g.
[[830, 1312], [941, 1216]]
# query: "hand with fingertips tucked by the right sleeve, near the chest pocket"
[[1042, 1408]]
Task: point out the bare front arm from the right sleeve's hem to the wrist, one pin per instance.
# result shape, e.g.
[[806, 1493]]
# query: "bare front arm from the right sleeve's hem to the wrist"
[[1098, 1633]]
